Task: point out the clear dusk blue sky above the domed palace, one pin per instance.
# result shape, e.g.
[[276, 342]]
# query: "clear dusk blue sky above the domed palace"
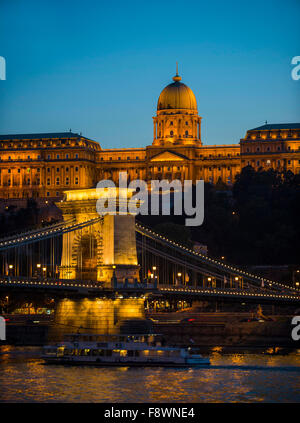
[[98, 67]]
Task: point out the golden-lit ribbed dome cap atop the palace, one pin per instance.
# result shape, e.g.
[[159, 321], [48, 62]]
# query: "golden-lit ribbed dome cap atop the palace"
[[177, 96]]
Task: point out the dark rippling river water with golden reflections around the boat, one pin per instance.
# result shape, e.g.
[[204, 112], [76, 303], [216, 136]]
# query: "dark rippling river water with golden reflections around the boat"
[[238, 377]]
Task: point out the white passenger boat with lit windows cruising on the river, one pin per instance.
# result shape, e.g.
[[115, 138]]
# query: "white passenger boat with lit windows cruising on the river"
[[120, 350]]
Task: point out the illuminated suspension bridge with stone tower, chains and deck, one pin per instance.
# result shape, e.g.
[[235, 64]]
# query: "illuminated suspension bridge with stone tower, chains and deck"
[[114, 258]]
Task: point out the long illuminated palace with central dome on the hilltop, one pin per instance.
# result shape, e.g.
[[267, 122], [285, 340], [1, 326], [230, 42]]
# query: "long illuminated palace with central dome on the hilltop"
[[46, 164]]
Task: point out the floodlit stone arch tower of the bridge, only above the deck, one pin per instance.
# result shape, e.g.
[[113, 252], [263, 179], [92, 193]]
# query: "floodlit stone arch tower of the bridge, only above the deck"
[[103, 250]]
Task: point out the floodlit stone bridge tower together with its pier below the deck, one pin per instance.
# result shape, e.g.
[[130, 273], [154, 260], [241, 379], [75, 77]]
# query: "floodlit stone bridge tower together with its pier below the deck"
[[105, 252]]
